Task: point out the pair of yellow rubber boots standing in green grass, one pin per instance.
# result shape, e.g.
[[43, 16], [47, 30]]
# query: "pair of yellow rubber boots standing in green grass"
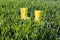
[[24, 12]]
